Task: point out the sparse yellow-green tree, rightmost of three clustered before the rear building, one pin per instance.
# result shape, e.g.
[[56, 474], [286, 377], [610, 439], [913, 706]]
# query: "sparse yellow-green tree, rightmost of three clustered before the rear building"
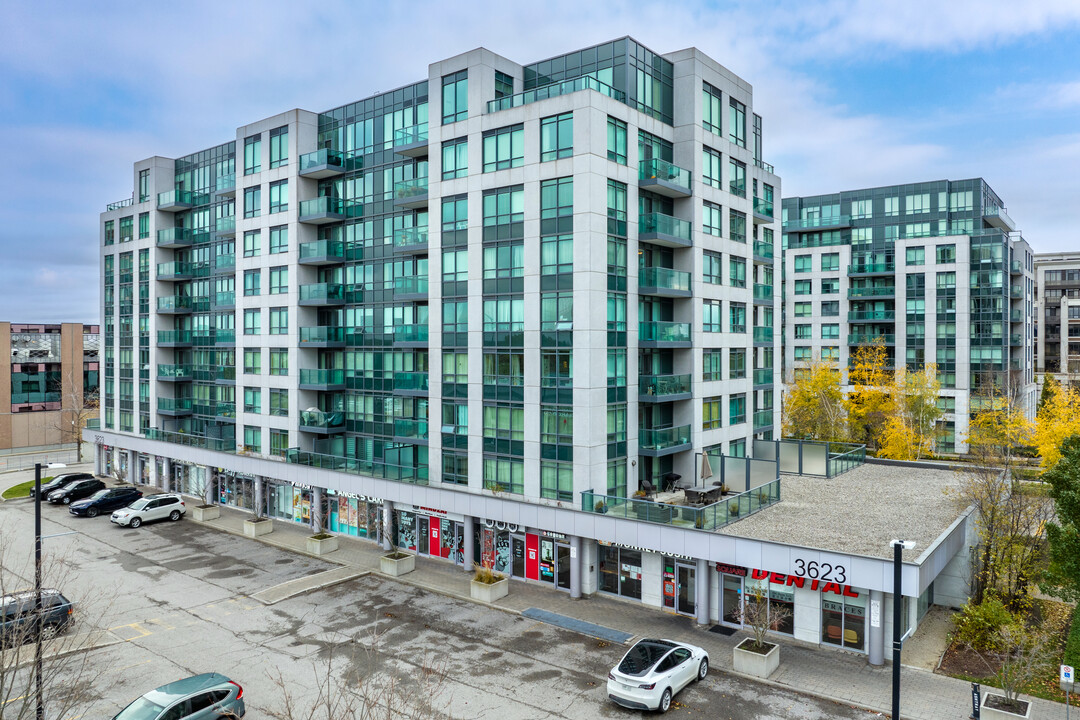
[[909, 431]]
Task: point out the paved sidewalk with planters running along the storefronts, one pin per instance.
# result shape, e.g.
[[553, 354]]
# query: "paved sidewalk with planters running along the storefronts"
[[838, 676]]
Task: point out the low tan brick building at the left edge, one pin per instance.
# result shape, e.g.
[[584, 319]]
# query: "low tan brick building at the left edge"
[[50, 375]]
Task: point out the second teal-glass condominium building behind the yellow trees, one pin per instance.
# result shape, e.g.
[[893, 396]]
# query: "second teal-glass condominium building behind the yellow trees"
[[938, 270]]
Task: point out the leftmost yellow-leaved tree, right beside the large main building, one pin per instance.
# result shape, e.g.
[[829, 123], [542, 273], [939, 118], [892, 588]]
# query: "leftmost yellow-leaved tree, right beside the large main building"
[[814, 404]]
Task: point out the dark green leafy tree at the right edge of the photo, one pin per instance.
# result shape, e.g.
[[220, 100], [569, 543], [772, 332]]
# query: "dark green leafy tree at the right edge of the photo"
[[1063, 576]]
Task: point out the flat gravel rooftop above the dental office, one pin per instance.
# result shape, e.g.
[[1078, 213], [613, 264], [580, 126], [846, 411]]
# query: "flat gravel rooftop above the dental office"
[[860, 511]]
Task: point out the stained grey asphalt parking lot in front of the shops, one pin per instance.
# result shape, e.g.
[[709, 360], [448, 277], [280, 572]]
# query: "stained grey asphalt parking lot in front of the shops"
[[175, 599]]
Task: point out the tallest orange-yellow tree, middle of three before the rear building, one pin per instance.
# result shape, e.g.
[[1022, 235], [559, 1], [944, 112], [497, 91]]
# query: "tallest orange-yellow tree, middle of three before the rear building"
[[870, 402]]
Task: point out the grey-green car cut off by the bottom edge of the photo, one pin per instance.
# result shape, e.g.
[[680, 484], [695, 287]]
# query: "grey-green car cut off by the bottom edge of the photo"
[[198, 698]]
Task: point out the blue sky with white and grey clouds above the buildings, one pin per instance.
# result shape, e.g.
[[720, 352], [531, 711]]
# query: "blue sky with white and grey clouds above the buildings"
[[854, 94]]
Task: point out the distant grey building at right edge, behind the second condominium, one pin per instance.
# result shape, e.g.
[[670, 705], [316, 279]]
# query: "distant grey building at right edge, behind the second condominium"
[[1058, 316]]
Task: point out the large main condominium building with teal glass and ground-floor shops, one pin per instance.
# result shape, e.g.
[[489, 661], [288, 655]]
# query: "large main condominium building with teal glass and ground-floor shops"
[[477, 325]]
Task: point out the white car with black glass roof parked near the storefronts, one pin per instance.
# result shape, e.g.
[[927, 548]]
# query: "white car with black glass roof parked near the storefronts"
[[652, 672]]
